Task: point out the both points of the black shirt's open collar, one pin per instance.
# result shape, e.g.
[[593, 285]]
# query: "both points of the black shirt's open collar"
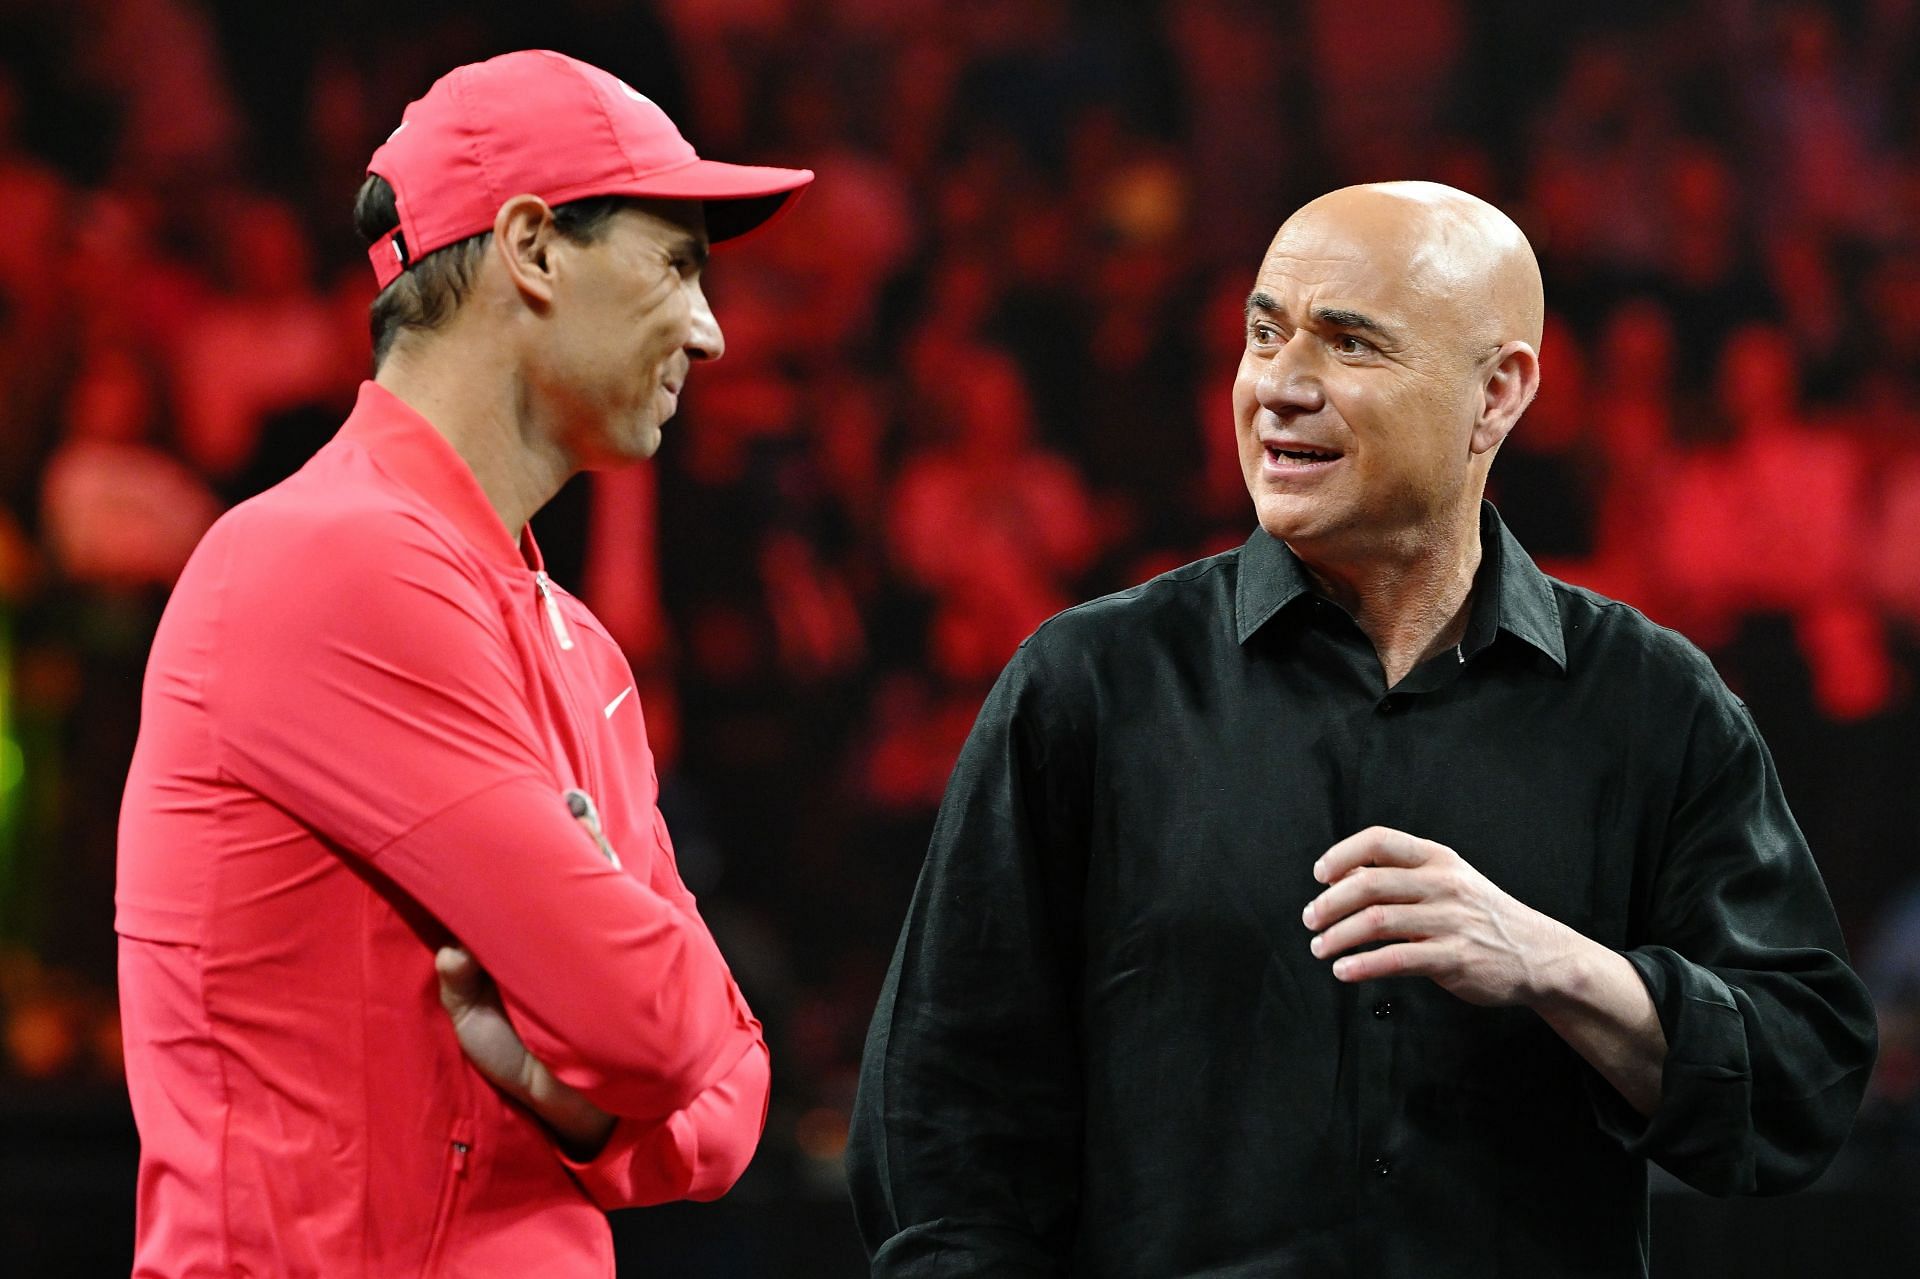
[[1510, 594]]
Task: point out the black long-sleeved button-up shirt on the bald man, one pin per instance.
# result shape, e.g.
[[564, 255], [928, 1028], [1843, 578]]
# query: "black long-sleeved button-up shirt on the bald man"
[[1105, 1050]]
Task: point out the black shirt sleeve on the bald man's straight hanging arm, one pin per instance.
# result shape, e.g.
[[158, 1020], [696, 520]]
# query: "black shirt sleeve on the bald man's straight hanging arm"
[[967, 1132]]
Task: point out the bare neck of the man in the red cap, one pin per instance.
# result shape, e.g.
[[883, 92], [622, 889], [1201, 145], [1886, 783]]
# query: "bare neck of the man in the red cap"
[[479, 404]]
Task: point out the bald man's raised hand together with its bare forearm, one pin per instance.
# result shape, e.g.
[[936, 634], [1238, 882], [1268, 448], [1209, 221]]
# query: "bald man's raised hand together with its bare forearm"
[[1447, 921]]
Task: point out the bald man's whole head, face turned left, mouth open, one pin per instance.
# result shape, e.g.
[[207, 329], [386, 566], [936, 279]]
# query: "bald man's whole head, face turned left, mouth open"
[[1393, 341]]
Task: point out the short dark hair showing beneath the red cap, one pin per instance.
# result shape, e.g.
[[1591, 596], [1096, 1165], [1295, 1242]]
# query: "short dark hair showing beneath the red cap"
[[429, 291]]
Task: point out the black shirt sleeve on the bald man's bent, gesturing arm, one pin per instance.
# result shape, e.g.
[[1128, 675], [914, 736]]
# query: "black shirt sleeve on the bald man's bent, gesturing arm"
[[1771, 1036]]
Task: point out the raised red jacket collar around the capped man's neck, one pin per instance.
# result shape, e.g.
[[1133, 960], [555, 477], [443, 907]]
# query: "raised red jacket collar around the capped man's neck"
[[410, 450]]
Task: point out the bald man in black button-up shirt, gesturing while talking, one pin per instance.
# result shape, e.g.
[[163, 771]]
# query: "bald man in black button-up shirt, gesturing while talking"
[[1358, 902]]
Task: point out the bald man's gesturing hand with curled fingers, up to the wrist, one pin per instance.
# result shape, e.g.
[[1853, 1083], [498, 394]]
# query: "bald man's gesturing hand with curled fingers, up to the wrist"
[[1441, 917]]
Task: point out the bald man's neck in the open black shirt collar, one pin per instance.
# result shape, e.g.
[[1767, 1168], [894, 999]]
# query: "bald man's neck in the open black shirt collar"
[[1410, 600]]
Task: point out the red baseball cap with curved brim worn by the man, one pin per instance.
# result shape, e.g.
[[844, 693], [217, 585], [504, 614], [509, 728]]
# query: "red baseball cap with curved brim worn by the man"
[[556, 128]]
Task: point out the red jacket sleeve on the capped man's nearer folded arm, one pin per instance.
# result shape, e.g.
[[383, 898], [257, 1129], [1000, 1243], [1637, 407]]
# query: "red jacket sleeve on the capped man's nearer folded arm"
[[408, 742]]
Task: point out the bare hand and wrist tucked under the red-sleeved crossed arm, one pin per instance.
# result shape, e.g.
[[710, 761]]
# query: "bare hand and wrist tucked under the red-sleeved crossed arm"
[[494, 1048]]
